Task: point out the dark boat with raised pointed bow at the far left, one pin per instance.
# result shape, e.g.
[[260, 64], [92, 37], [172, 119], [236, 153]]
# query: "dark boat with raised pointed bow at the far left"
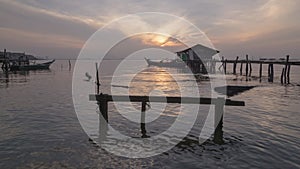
[[37, 66]]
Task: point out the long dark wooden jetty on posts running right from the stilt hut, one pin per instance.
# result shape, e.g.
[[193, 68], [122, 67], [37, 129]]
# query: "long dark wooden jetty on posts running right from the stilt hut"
[[285, 75]]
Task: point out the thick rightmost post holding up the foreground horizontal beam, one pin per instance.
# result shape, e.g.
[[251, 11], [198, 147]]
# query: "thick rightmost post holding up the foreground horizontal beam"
[[219, 110]]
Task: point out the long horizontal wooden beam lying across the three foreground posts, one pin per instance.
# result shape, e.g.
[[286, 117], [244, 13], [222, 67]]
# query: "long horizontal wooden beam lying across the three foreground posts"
[[168, 99]]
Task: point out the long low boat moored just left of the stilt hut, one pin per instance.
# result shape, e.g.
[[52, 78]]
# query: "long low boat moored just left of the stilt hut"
[[166, 63]]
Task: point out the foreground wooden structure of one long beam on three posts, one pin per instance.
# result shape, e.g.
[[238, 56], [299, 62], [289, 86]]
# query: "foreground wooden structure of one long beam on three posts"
[[103, 99]]
